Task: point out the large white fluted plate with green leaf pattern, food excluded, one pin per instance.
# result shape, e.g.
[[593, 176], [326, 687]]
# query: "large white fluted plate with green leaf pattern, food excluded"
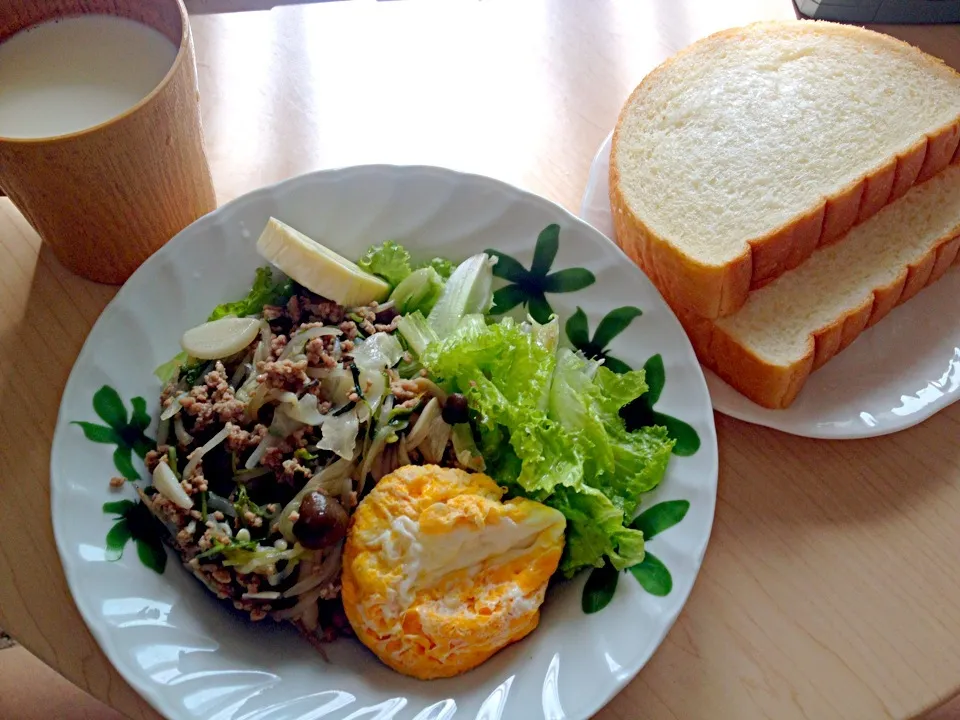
[[191, 657]]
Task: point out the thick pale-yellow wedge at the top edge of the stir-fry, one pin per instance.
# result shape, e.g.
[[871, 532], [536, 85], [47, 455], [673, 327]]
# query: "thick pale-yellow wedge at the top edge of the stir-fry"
[[318, 268]]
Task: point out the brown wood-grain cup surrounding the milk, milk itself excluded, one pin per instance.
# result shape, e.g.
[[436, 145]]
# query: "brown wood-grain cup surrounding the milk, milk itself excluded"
[[107, 197]]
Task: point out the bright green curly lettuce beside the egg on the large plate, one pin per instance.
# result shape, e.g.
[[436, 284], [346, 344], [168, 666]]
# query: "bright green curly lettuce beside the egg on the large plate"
[[548, 425]]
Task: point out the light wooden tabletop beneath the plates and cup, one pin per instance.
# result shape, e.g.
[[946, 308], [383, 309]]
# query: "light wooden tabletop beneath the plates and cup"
[[831, 587]]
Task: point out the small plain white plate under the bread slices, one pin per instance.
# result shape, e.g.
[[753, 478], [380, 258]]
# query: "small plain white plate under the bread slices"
[[895, 375]]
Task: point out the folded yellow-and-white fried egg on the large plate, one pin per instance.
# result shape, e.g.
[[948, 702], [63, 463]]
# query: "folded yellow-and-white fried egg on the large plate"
[[439, 574]]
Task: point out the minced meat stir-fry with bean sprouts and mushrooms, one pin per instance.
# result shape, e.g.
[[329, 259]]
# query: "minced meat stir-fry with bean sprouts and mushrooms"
[[265, 453]]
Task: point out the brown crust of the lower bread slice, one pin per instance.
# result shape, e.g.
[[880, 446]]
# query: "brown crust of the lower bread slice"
[[776, 386]]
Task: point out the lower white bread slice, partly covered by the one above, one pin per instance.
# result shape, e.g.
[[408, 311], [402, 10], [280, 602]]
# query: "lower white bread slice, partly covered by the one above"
[[795, 324]]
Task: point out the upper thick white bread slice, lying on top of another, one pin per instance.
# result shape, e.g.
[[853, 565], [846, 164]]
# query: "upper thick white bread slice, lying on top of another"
[[736, 158]]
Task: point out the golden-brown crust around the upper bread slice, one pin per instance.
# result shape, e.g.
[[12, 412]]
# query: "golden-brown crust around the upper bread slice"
[[712, 291]]
